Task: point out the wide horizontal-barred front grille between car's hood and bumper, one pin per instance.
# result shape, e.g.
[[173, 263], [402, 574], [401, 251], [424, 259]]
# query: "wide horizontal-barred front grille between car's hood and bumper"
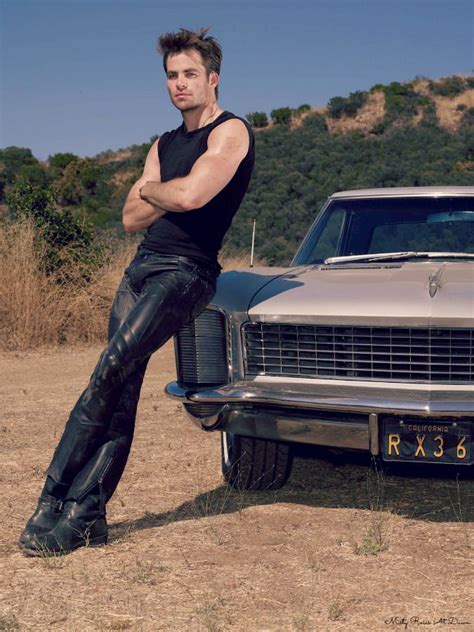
[[370, 353]]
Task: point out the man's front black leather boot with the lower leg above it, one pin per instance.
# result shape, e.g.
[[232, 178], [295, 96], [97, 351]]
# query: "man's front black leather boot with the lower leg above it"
[[83, 520]]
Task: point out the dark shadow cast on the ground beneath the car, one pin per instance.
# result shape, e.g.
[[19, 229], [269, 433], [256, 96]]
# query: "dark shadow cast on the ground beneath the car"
[[350, 481]]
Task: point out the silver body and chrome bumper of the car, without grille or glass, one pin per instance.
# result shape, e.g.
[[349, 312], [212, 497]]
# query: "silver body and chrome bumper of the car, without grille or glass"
[[333, 411]]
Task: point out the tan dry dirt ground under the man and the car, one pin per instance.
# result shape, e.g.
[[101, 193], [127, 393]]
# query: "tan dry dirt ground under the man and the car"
[[340, 547]]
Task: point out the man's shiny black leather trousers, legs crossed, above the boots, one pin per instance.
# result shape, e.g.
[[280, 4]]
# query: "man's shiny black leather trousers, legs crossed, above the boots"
[[157, 296]]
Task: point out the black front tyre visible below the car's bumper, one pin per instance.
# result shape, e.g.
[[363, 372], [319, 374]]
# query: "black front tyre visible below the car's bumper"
[[254, 464]]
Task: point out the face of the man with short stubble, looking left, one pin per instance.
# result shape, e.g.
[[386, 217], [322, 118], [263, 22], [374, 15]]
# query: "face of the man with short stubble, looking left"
[[188, 83]]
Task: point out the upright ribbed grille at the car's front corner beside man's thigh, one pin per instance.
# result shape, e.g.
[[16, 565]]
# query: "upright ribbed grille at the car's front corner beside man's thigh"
[[201, 351]]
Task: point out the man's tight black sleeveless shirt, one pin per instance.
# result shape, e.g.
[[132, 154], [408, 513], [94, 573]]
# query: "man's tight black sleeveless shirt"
[[197, 234]]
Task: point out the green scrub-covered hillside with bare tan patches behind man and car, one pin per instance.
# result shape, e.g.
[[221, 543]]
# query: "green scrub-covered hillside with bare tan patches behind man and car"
[[399, 134]]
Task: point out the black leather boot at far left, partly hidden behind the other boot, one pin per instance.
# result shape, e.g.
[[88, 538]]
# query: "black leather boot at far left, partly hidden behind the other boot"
[[47, 512]]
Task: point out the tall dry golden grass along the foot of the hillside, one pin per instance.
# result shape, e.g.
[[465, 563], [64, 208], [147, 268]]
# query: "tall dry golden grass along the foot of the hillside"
[[37, 310]]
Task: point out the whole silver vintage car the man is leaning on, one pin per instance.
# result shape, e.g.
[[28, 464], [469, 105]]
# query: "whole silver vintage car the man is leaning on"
[[365, 342]]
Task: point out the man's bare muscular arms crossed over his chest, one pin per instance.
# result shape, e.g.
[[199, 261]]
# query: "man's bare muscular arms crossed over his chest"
[[149, 198]]
